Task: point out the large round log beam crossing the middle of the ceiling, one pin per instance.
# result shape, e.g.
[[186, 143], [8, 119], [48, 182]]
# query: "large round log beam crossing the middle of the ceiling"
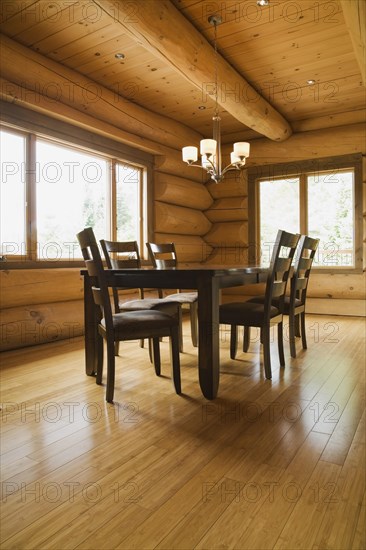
[[160, 27]]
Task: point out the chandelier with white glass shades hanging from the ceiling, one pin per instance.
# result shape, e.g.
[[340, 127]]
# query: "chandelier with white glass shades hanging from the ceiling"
[[210, 149]]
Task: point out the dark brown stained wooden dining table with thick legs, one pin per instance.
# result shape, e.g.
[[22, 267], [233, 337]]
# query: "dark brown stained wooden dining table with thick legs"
[[207, 280]]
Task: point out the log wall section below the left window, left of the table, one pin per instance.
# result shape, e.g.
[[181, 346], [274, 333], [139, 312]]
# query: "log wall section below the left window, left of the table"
[[40, 305]]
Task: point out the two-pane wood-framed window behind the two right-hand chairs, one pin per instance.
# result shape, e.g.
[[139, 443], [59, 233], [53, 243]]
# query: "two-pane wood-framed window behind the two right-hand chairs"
[[320, 202]]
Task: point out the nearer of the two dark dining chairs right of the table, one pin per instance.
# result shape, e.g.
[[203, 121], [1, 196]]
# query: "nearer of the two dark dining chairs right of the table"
[[265, 315]]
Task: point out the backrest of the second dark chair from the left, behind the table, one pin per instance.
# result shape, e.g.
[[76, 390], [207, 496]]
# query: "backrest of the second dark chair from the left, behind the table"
[[121, 255]]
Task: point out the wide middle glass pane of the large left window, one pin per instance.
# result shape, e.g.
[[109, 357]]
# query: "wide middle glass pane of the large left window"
[[71, 194]]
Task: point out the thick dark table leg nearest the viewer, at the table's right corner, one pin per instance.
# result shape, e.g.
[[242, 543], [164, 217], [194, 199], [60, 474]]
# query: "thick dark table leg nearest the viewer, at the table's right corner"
[[208, 343]]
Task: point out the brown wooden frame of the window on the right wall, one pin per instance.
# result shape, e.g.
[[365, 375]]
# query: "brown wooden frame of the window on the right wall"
[[301, 169]]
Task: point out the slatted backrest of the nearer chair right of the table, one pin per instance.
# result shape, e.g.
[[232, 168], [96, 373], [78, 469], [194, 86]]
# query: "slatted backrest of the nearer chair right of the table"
[[279, 269]]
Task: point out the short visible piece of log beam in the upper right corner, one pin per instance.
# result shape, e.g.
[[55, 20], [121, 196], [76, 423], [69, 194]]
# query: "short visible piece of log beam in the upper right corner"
[[354, 12]]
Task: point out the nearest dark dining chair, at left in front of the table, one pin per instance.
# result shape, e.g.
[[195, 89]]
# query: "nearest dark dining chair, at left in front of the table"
[[127, 325]]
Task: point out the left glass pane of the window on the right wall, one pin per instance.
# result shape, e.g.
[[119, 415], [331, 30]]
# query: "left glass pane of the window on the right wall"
[[279, 209]]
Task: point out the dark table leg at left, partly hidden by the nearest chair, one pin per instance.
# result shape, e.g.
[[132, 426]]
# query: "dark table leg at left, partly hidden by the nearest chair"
[[93, 341]]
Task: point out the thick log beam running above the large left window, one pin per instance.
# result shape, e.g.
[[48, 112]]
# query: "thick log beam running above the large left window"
[[39, 80]]
